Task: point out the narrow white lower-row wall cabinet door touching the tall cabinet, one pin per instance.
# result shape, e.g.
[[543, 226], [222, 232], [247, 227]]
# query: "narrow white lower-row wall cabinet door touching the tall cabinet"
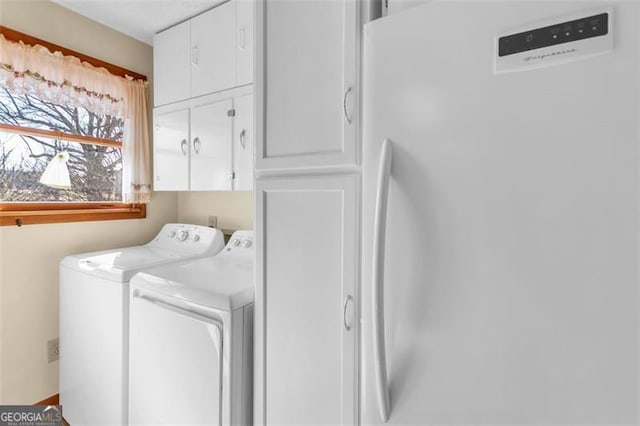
[[243, 143]]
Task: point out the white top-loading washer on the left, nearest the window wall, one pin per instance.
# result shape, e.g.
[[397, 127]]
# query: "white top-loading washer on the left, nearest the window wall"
[[94, 309]]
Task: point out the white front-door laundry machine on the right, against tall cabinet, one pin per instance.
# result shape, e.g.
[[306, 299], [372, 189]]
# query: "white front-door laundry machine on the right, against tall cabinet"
[[191, 340]]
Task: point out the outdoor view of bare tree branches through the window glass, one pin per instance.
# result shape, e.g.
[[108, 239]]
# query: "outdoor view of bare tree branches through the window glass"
[[96, 170]]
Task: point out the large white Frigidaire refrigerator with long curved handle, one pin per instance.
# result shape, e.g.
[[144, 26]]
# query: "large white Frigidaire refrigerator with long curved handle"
[[500, 284]]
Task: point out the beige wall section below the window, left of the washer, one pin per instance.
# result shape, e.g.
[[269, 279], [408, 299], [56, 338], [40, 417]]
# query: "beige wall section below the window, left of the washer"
[[29, 291]]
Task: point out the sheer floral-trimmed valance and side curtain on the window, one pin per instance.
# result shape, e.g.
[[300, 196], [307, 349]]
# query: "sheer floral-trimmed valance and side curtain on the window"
[[54, 77]]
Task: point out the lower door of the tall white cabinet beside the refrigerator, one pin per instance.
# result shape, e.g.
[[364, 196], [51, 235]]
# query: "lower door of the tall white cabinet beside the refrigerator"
[[306, 332]]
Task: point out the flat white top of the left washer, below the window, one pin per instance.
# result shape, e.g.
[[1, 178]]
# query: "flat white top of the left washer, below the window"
[[120, 265]]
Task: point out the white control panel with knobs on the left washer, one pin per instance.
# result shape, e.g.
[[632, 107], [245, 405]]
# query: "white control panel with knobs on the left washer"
[[190, 238]]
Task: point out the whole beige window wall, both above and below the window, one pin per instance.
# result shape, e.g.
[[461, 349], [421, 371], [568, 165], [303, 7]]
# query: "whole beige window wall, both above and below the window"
[[29, 256]]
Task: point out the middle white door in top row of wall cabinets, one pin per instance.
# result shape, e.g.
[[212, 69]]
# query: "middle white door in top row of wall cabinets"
[[213, 45]]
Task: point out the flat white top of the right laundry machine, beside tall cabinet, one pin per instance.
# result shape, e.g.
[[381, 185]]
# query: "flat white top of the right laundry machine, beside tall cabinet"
[[220, 282]]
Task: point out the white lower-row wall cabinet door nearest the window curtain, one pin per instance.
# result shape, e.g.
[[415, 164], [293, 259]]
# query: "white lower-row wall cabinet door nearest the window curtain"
[[171, 150]]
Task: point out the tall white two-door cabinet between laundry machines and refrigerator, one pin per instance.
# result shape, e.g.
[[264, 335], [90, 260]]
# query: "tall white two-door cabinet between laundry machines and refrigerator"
[[307, 212]]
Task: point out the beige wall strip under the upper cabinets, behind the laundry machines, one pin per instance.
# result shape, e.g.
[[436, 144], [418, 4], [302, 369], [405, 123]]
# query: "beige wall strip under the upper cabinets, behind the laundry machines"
[[234, 209]]
